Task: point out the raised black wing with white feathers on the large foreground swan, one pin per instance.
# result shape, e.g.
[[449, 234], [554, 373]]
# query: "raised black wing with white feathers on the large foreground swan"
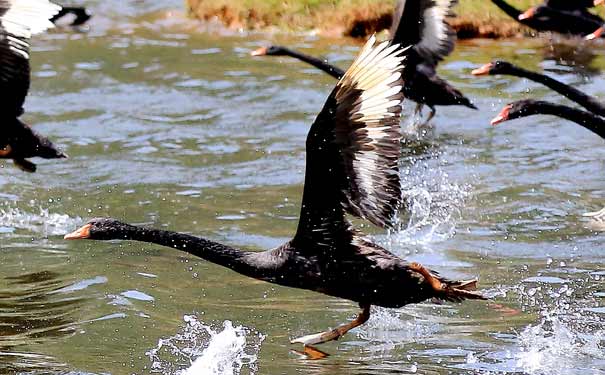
[[353, 148]]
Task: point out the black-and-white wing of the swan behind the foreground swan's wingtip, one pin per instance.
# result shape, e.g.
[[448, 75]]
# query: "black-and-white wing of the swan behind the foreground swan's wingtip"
[[423, 25]]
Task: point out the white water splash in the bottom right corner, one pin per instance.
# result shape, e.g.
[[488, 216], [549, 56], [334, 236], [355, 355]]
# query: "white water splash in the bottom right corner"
[[569, 337]]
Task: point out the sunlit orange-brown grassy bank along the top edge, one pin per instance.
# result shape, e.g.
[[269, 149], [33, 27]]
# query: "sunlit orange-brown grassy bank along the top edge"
[[355, 18]]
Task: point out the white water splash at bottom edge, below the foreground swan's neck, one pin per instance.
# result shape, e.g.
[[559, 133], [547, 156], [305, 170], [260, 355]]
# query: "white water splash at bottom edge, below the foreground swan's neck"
[[206, 350]]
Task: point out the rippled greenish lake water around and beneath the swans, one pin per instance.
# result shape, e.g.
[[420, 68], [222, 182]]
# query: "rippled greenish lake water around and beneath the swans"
[[172, 124]]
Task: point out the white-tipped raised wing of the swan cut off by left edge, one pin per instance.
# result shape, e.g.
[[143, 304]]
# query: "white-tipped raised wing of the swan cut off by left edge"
[[19, 20]]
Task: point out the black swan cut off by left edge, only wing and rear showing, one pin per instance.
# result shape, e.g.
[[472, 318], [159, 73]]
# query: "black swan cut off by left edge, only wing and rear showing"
[[18, 21]]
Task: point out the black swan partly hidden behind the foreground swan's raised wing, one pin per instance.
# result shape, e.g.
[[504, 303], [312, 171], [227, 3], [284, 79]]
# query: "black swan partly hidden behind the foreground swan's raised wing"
[[431, 38]]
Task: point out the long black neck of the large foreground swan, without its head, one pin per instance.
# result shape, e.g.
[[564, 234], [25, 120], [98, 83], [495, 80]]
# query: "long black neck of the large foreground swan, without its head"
[[244, 262]]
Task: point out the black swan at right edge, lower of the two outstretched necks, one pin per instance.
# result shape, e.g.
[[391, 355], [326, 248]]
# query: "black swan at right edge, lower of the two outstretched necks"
[[528, 107]]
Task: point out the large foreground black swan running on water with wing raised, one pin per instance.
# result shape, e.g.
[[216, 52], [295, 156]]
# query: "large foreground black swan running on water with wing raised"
[[352, 167]]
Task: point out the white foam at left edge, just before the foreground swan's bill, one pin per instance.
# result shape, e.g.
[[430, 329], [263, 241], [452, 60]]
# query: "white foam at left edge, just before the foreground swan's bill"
[[44, 222]]
